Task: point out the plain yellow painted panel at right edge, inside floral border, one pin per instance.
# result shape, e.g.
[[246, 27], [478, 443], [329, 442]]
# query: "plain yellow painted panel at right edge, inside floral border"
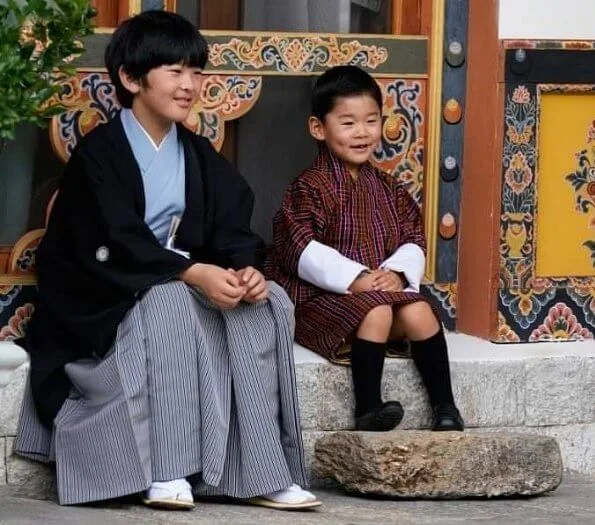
[[565, 121]]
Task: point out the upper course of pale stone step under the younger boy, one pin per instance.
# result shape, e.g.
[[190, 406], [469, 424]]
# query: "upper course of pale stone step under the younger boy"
[[534, 385]]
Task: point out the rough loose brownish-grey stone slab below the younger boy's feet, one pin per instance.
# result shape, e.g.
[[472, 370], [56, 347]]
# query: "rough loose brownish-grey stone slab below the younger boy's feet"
[[445, 465]]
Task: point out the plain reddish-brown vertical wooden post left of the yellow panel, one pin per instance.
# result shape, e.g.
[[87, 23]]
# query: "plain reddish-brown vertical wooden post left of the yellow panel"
[[478, 269]]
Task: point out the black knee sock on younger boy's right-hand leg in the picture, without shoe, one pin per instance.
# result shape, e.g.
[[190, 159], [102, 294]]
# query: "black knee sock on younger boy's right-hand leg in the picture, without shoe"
[[431, 359]]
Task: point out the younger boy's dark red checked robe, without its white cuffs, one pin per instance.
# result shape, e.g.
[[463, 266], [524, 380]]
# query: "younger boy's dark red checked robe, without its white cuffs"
[[366, 220]]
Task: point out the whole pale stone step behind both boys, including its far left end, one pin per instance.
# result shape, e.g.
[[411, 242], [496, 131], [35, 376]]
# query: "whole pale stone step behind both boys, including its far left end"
[[541, 389]]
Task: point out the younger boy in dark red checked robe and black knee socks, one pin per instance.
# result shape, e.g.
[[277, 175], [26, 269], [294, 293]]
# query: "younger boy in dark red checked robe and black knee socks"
[[349, 250]]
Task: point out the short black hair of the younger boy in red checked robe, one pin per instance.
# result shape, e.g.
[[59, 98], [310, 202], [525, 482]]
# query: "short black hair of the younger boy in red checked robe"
[[339, 82]]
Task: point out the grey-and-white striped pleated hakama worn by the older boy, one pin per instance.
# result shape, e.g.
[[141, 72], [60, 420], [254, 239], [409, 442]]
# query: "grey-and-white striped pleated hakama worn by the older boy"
[[186, 388]]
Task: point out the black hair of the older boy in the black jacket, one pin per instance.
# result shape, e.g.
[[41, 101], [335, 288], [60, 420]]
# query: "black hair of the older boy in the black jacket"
[[150, 40]]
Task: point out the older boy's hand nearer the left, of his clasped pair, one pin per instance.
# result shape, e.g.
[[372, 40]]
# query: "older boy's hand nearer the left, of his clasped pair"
[[221, 286]]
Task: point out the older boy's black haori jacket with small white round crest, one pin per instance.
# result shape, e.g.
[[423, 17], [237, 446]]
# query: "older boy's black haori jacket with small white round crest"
[[98, 256]]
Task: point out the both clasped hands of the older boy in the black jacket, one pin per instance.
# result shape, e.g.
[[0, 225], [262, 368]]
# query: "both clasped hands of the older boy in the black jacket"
[[226, 288]]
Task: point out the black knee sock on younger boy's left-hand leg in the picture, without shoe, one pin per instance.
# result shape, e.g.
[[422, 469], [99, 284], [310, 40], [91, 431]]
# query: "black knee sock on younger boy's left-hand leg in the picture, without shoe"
[[367, 361]]
